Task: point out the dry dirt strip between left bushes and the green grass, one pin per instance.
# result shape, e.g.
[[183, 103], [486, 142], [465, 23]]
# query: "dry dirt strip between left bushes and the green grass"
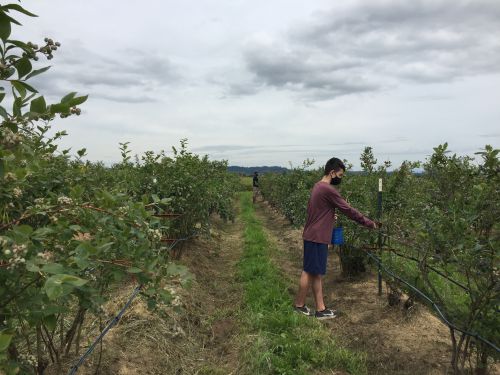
[[200, 337]]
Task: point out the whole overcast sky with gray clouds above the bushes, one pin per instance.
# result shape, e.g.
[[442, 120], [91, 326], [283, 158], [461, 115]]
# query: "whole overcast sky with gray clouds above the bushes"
[[275, 82]]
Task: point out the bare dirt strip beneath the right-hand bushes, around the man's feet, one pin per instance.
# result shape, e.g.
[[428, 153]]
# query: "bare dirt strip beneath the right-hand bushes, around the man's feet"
[[396, 342]]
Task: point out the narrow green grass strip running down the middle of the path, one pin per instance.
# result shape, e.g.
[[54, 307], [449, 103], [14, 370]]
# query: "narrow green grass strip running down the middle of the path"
[[284, 342]]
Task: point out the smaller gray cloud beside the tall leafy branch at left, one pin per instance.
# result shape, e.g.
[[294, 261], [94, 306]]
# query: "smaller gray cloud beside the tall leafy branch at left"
[[130, 77]]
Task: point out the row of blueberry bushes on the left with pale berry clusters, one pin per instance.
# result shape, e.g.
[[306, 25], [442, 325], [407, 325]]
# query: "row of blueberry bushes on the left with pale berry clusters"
[[72, 230]]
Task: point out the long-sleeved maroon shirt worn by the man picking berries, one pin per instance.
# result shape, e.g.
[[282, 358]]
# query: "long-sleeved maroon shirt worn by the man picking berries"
[[321, 213]]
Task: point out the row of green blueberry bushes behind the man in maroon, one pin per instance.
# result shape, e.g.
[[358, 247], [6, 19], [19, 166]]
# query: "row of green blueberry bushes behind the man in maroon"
[[445, 218]]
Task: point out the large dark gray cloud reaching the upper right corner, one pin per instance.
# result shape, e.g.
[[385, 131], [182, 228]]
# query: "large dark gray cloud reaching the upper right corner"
[[377, 45]]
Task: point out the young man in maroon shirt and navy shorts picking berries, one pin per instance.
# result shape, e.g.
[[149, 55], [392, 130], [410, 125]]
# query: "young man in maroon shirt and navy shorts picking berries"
[[323, 202]]
